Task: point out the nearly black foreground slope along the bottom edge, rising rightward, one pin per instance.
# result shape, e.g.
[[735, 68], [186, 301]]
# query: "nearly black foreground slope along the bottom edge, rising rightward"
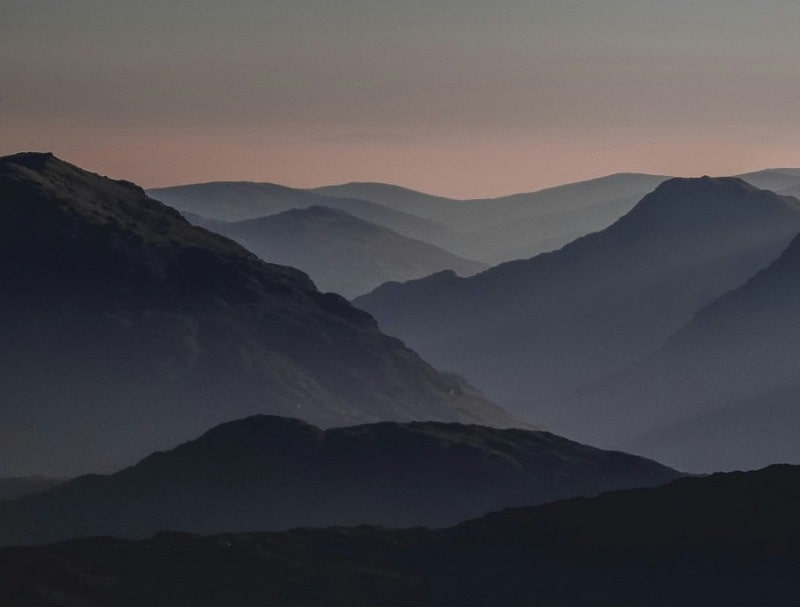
[[728, 539]]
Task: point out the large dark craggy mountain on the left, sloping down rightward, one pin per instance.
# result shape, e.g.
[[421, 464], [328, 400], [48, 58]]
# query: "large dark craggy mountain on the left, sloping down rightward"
[[126, 329]]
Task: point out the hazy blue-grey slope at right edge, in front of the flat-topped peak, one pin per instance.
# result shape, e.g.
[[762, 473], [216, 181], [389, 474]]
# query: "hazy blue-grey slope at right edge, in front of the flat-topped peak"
[[723, 392]]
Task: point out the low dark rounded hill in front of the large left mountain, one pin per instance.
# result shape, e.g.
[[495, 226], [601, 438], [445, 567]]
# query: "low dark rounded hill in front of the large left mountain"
[[272, 473]]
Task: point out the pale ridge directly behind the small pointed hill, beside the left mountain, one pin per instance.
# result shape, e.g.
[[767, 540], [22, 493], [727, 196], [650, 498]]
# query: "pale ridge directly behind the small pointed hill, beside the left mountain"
[[242, 200]]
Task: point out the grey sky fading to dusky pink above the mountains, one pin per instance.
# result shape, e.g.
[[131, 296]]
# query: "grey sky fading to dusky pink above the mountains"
[[460, 97]]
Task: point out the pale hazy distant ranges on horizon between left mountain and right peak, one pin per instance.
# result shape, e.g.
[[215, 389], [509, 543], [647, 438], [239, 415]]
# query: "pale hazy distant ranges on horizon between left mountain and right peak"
[[490, 230]]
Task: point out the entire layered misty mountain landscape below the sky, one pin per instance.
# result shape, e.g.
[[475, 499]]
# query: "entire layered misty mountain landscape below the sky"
[[242, 393]]
